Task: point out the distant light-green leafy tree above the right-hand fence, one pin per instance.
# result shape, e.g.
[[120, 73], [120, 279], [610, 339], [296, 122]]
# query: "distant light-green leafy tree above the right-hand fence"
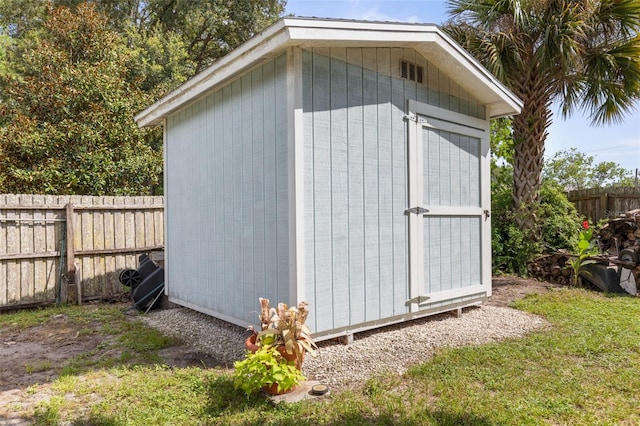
[[570, 170]]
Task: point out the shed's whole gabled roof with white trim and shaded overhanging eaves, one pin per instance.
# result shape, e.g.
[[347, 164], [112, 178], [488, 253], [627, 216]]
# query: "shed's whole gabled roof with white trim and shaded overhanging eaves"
[[427, 39]]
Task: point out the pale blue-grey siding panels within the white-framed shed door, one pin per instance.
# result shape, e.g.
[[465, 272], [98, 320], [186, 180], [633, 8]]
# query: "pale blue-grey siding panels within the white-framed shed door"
[[452, 253]]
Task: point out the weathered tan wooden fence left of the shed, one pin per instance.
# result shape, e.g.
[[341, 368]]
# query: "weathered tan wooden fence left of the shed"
[[55, 247]]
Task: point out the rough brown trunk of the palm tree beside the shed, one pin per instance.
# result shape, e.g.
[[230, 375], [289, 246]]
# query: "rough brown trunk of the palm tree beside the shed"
[[529, 134]]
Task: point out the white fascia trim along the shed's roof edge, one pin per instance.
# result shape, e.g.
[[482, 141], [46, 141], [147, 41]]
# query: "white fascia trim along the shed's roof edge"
[[293, 31]]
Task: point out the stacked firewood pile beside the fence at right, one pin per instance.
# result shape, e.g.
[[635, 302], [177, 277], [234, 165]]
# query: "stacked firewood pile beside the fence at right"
[[616, 235]]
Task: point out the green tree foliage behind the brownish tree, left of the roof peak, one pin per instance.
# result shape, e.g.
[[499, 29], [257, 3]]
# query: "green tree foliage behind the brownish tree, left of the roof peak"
[[206, 29]]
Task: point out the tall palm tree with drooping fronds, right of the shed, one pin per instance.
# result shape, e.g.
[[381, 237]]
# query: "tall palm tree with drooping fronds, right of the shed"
[[583, 54]]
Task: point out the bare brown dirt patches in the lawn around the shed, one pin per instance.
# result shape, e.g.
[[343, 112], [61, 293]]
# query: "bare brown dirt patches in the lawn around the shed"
[[35, 356]]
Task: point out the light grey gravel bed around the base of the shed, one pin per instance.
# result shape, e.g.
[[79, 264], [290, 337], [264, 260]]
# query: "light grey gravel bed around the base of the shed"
[[392, 348]]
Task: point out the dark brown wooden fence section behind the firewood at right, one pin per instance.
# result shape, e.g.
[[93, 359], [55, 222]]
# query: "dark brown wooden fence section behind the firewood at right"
[[597, 204]]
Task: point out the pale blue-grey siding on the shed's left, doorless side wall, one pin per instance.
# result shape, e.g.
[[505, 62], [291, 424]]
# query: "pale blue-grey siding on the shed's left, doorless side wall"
[[227, 182]]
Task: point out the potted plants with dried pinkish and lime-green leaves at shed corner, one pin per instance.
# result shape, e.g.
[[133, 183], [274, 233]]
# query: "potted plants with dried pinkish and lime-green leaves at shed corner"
[[275, 353]]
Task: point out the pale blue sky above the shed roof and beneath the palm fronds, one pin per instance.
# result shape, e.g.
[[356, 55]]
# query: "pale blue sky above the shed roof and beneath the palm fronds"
[[619, 143]]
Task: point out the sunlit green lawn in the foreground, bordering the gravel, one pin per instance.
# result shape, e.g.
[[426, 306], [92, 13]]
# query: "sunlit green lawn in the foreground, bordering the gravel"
[[583, 370]]
